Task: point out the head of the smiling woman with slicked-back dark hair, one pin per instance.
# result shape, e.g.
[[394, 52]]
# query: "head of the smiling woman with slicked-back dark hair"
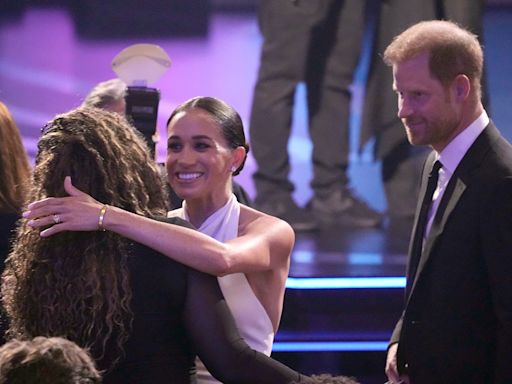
[[206, 146]]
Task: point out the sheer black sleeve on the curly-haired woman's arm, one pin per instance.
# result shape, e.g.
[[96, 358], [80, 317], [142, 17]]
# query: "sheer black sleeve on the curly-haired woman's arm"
[[216, 339]]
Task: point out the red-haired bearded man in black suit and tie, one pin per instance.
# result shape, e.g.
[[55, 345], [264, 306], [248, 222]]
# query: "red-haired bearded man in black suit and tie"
[[457, 323]]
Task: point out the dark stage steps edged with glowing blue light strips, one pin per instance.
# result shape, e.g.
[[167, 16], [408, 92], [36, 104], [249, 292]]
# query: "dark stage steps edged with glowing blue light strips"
[[341, 330]]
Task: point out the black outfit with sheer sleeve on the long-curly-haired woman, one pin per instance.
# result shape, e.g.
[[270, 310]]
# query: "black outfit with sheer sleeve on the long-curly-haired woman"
[[179, 312]]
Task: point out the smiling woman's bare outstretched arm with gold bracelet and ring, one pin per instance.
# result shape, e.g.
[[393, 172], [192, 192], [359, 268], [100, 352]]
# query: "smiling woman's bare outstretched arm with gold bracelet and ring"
[[266, 244]]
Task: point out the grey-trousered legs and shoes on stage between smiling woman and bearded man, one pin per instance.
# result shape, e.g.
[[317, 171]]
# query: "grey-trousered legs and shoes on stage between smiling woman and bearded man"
[[318, 43]]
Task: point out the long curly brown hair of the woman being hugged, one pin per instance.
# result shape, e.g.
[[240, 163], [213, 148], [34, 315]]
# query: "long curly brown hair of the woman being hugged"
[[76, 284]]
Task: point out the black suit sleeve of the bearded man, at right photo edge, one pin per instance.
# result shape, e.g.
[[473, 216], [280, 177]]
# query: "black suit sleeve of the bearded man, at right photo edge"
[[497, 250]]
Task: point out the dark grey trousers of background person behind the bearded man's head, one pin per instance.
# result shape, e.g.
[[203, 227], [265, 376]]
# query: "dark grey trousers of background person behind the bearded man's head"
[[401, 162]]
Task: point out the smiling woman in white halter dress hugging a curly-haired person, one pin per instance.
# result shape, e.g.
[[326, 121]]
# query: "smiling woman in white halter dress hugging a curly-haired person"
[[248, 250]]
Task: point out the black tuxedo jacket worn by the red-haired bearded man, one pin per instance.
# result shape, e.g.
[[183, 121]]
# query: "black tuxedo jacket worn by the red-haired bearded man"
[[457, 323]]
